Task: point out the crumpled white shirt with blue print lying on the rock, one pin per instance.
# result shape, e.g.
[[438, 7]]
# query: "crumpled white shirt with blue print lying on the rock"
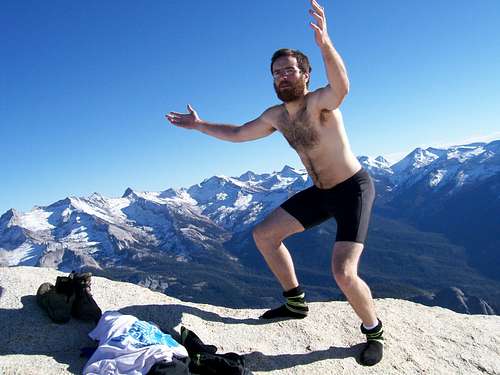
[[128, 345]]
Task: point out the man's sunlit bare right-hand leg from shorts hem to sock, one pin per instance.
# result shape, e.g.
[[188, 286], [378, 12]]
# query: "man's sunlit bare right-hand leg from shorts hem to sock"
[[345, 270]]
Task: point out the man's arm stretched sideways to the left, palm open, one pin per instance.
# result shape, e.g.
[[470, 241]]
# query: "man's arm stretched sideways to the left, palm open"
[[255, 129]]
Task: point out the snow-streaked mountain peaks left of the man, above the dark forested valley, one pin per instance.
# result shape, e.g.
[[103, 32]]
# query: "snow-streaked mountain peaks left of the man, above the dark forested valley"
[[88, 231]]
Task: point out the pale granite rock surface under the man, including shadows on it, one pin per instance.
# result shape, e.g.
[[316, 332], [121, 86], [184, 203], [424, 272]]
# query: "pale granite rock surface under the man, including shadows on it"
[[418, 339]]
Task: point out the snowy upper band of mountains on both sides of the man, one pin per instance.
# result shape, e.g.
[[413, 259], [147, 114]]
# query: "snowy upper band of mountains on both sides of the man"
[[82, 231]]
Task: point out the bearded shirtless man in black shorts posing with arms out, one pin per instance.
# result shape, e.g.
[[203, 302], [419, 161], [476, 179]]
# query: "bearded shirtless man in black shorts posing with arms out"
[[312, 124]]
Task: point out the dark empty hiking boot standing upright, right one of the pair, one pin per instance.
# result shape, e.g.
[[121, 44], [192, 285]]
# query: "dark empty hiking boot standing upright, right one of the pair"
[[84, 305]]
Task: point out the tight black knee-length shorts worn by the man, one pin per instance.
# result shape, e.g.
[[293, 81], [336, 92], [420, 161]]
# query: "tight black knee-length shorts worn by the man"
[[349, 202]]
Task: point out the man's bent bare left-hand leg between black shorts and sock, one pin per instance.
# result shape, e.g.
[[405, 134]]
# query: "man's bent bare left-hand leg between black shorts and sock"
[[268, 236]]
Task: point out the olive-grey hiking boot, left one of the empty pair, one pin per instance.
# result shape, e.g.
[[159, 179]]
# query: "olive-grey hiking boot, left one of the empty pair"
[[57, 305]]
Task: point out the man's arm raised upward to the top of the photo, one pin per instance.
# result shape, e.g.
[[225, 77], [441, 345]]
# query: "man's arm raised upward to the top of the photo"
[[331, 96]]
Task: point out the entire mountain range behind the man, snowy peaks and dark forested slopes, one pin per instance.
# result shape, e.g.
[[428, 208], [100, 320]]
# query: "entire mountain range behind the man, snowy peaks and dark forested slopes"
[[433, 236]]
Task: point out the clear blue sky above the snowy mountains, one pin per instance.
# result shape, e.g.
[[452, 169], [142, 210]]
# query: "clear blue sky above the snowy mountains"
[[85, 86]]
